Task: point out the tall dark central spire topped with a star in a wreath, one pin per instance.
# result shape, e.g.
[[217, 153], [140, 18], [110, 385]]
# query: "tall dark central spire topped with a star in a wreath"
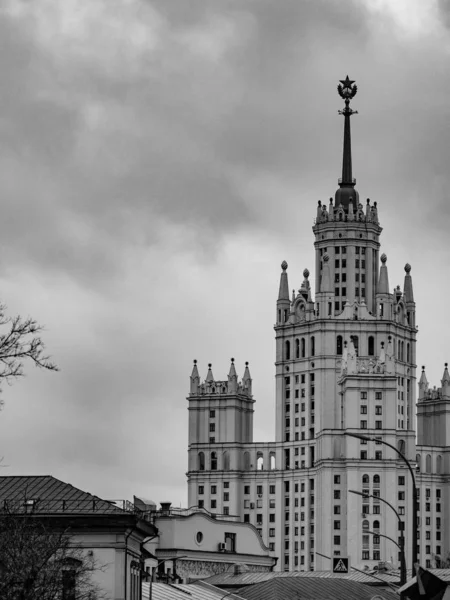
[[346, 193]]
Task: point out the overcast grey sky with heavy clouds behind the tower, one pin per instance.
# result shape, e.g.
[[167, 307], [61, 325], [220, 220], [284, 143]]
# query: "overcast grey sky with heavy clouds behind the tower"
[[159, 159]]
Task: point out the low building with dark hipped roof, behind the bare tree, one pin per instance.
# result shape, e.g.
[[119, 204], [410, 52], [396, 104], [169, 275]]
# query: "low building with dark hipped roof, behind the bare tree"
[[110, 533]]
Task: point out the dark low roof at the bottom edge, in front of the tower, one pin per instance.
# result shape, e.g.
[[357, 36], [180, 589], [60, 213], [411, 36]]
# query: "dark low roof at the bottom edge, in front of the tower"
[[297, 588]]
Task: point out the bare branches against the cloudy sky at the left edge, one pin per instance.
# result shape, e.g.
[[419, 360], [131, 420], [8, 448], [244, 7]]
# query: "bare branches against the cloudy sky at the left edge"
[[20, 342]]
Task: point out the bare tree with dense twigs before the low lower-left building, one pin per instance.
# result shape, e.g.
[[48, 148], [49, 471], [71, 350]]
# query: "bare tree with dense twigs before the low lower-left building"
[[40, 561]]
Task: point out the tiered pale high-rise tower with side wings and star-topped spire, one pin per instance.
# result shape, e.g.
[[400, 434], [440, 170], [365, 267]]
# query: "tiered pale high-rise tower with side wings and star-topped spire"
[[345, 364]]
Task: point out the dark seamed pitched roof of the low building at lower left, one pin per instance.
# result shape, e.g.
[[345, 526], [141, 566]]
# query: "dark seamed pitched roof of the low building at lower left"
[[48, 495]]
